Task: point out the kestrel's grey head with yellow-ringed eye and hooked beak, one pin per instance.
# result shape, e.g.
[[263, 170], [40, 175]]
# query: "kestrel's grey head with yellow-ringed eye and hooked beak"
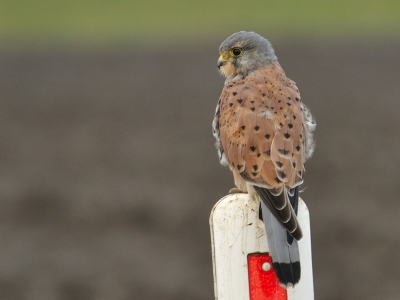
[[244, 52]]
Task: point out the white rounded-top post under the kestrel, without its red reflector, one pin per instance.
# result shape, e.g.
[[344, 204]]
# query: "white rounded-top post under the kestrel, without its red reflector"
[[237, 231]]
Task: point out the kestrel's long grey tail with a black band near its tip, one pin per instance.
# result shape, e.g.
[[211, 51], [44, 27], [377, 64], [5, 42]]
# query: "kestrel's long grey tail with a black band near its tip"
[[283, 247]]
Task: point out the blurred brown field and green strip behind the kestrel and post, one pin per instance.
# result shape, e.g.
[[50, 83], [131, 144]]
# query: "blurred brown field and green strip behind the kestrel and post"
[[108, 169]]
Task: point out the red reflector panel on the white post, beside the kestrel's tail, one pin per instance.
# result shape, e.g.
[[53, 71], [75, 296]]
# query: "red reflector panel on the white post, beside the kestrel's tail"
[[263, 283]]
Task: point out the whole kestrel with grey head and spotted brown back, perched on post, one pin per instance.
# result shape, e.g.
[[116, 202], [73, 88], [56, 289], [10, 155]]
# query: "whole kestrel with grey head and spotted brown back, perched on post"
[[263, 132]]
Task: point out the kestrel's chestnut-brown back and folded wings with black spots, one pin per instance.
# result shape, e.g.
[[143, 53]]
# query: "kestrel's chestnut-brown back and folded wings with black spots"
[[261, 128]]
